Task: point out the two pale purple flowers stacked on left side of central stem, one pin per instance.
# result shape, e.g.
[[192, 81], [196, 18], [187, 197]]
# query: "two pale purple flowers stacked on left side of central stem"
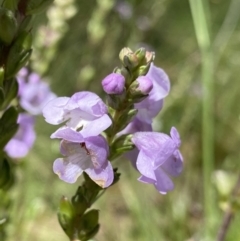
[[85, 117]]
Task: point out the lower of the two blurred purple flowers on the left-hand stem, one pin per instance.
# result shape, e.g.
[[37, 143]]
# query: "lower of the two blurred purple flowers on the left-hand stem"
[[23, 140]]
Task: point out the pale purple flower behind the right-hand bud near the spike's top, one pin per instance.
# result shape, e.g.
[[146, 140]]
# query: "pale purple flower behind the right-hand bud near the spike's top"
[[151, 105]]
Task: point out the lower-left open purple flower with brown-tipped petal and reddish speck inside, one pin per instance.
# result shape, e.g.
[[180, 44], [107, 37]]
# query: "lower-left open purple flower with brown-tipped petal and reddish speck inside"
[[84, 154]]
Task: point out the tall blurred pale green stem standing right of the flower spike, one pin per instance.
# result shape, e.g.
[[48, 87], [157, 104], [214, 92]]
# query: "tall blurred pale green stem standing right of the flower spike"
[[199, 14]]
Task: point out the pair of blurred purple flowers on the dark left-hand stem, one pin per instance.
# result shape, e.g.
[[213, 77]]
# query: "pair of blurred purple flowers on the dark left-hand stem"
[[33, 95]]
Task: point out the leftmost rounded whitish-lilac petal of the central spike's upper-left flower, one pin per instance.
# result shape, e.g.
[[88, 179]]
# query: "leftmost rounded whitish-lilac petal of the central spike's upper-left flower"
[[53, 111]]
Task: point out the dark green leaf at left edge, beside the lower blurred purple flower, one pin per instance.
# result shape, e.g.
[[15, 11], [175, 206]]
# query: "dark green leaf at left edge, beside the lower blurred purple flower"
[[8, 126]]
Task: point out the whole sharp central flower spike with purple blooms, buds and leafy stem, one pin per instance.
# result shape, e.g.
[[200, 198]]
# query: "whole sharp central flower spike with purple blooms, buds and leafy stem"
[[93, 134]]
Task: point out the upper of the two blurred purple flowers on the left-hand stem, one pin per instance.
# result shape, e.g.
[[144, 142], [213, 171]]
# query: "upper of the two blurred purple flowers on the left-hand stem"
[[34, 94]]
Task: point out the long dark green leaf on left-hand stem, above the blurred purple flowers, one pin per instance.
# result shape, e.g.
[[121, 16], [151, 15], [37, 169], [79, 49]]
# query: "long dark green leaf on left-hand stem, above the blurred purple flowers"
[[19, 54]]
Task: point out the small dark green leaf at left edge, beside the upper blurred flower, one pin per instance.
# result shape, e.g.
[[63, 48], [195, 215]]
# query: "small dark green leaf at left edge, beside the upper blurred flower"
[[10, 91]]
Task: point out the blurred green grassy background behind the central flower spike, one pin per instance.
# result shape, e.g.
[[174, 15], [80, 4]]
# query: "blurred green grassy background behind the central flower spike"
[[76, 44]]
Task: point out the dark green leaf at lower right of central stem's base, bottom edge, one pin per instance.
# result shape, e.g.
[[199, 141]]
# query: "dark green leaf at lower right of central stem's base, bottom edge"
[[89, 225]]
